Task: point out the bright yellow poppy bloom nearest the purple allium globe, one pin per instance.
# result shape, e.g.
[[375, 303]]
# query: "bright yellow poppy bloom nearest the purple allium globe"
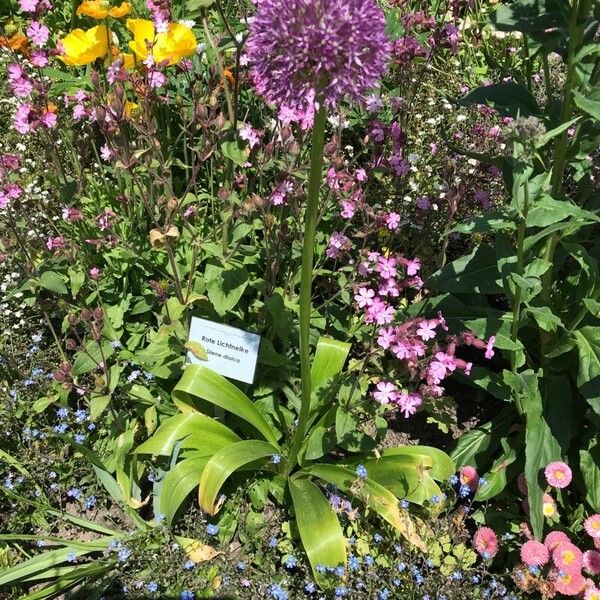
[[176, 43]]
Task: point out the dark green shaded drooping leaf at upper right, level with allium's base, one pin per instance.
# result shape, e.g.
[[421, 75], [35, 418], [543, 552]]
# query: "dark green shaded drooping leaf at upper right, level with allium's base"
[[508, 98]]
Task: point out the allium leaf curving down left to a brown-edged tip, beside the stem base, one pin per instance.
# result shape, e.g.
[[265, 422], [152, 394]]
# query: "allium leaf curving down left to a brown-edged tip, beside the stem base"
[[225, 462]]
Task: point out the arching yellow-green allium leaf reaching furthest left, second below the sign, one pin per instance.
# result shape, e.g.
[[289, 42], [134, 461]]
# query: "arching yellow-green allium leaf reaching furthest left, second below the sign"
[[179, 427]]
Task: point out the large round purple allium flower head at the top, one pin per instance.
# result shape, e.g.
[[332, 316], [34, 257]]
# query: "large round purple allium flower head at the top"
[[302, 51]]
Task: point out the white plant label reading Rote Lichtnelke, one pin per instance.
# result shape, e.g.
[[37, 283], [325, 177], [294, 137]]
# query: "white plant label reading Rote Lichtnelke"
[[231, 352]]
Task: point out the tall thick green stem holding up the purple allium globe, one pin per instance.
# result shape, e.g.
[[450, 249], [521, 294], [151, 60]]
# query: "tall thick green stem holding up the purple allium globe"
[[308, 251]]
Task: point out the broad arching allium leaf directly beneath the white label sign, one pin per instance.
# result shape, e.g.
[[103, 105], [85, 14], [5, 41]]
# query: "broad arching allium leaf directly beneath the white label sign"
[[202, 382]]
